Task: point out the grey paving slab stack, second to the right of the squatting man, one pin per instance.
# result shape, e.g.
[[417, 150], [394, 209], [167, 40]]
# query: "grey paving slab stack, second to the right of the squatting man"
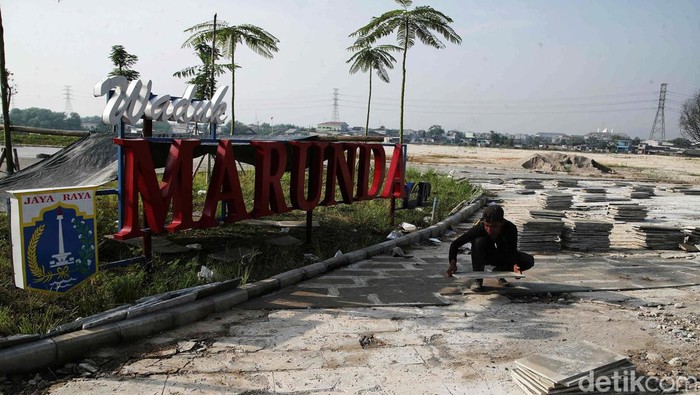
[[586, 235]]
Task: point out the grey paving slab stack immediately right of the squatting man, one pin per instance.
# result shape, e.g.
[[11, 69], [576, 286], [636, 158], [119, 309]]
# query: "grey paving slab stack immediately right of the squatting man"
[[539, 234]]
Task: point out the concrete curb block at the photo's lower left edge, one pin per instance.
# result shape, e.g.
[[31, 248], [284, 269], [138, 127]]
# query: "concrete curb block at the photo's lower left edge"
[[28, 357]]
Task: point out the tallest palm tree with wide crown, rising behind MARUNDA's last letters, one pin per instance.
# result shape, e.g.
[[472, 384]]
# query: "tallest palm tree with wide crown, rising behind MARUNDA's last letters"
[[409, 25]]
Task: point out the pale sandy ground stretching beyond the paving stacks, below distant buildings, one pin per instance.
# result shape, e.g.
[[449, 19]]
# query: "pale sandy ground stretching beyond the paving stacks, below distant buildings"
[[671, 169]]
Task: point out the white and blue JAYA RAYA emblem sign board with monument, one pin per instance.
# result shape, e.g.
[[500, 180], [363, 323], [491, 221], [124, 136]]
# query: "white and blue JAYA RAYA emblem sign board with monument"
[[53, 237]]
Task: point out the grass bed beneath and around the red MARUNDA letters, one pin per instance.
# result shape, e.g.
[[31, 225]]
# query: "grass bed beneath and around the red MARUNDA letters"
[[342, 227]]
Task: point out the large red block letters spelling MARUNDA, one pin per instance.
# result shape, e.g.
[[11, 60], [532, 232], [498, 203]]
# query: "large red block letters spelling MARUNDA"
[[349, 168]]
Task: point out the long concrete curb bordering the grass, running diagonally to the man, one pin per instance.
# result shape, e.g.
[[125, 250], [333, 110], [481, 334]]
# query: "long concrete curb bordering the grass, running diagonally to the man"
[[65, 347]]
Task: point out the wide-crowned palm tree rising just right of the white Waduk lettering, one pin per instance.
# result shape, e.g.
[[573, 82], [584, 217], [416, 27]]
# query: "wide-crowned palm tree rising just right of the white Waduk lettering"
[[228, 38]]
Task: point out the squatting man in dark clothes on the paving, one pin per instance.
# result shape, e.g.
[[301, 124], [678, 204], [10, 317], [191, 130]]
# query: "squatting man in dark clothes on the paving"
[[494, 243]]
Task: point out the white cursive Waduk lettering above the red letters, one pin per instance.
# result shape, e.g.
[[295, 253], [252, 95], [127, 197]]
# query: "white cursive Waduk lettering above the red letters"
[[130, 101]]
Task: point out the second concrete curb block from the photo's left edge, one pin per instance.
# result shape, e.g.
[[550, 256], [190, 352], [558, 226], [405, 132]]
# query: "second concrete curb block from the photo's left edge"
[[71, 346]]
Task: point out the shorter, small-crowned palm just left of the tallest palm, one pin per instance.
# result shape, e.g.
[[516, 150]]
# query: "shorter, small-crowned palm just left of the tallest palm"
[[368, 59]]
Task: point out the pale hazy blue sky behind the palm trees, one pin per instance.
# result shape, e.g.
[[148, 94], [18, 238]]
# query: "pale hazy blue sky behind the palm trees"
[[523, 66]]
